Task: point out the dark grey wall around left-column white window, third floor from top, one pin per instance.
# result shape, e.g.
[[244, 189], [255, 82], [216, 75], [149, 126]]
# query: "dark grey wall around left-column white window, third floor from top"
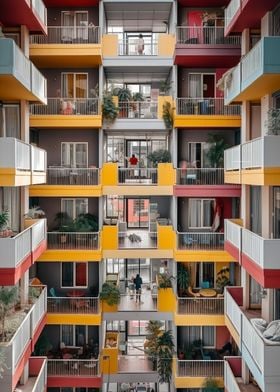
[[50, 140]]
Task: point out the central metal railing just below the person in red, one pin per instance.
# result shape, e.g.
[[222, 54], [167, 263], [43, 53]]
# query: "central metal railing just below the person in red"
[[138, 175]]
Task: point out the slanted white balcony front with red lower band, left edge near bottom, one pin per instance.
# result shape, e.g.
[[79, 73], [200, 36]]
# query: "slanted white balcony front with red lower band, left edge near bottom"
[[18, 349]]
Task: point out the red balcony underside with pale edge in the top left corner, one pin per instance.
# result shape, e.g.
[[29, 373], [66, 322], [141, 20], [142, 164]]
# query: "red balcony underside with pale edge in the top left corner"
[[19, 12]]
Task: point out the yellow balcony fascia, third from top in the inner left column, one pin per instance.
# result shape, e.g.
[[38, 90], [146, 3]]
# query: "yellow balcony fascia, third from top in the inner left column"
[[65, 191]]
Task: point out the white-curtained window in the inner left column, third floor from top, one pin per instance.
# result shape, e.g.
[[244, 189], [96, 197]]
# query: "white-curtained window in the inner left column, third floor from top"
[[74, 154]]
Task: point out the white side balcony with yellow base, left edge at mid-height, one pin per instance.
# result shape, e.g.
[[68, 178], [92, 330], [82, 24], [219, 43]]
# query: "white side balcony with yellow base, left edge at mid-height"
[[21, 163]]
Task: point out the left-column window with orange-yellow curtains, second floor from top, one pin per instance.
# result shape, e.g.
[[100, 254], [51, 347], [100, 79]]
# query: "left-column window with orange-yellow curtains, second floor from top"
[[74, 85]]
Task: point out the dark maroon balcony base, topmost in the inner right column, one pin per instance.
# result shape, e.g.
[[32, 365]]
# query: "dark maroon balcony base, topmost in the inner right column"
[[198, 55]]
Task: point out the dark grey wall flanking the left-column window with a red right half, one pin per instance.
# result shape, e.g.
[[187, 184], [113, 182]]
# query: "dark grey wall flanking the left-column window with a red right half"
[[50, 275]]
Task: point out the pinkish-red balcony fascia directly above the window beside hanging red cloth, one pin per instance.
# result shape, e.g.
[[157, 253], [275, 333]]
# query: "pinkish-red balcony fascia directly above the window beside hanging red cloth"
[[207, 190]]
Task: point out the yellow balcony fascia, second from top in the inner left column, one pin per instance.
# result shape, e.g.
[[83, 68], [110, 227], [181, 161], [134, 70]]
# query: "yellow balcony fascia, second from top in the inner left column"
[[63, 121]]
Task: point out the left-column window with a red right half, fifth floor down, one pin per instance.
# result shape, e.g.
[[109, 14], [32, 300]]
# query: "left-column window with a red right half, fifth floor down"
[[74, 274]]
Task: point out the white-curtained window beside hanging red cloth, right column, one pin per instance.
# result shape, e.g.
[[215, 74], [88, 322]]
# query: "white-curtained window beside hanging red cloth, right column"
[[200, 213]]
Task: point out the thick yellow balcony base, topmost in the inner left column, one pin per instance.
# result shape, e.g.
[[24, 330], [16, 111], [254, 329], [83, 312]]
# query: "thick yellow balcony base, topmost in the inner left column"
[[65, 55]]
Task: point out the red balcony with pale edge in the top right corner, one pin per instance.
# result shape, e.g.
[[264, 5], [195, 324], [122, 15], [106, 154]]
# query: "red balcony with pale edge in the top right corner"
[[250, 15]]
